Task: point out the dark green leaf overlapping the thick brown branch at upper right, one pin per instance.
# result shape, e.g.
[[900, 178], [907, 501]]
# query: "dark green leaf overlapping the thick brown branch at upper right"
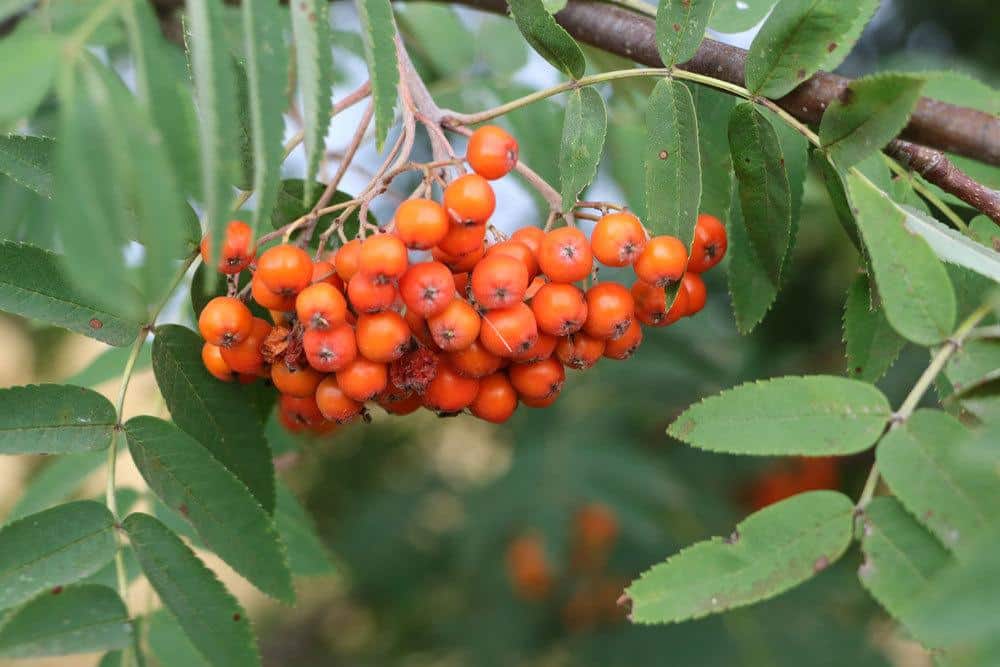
[[868, 115]]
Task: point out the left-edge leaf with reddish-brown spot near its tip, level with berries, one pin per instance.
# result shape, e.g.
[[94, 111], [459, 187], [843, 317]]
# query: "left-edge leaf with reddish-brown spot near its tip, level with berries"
[[32, 285]]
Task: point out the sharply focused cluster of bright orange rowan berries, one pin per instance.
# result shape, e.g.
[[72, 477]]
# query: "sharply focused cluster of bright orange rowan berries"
[[479, 325]]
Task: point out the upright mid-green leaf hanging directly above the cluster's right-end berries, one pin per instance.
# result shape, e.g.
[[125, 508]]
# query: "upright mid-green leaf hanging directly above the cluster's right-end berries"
[[672, 161]]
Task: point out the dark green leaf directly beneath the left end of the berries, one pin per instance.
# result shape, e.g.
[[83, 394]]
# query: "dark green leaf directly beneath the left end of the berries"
[[215, 413]]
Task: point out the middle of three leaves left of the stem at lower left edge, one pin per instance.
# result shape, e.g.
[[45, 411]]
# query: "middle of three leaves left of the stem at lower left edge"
[[53, 548]]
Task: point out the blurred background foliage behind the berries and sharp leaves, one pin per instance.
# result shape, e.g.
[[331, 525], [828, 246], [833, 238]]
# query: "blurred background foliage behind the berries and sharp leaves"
[[420, 514]]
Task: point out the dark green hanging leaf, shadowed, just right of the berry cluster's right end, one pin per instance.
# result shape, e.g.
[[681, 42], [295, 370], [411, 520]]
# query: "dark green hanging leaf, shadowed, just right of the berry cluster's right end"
[[762, 183]]
